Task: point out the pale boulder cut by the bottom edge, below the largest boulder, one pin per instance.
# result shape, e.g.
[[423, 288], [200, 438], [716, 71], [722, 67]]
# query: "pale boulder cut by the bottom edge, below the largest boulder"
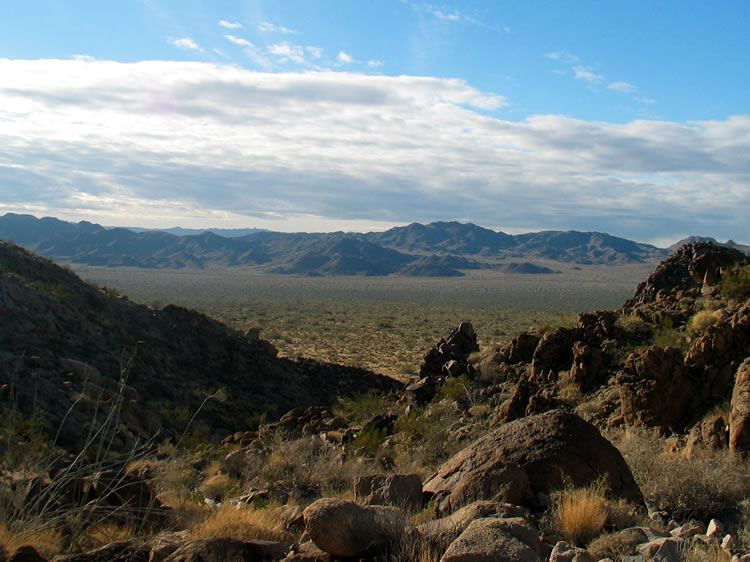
[[492, 539]]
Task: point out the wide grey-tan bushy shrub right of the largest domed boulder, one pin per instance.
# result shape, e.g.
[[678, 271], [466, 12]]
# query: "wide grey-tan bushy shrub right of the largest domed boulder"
[[708, 482]]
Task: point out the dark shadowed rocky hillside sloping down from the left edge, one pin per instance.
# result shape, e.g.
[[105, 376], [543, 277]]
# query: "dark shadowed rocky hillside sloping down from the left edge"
[[72, 351]]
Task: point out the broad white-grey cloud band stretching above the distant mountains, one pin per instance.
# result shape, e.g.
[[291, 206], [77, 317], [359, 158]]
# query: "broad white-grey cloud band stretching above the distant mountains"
[[151, 142]]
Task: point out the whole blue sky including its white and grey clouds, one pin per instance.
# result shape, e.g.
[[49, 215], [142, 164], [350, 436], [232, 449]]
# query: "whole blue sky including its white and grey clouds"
[[631, 118]]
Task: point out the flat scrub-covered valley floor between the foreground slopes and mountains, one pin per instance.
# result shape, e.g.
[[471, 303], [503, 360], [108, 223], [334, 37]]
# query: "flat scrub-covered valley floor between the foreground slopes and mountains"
[[383, 324]]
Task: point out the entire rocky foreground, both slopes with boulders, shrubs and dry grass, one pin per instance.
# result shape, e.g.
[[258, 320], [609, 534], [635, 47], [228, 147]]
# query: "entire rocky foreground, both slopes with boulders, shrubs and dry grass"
[[622, 437]]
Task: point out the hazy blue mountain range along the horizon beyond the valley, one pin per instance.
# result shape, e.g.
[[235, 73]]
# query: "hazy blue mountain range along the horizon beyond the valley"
[[440, 249]]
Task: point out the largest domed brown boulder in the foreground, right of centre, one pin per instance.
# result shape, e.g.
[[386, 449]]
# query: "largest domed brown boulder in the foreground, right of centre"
[[538, 453]]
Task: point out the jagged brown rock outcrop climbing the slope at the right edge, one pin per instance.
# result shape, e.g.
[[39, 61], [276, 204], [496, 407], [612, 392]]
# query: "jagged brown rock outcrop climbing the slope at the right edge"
[[612, 362]]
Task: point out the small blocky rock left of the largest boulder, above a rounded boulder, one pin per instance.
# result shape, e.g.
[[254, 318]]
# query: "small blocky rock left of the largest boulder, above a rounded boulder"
[[399, 490]]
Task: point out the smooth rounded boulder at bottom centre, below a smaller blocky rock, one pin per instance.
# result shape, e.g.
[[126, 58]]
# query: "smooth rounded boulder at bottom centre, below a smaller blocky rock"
[[346, 529]]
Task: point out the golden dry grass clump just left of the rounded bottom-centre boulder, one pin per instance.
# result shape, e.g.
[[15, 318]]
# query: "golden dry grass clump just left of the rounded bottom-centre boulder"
[[241, 522]]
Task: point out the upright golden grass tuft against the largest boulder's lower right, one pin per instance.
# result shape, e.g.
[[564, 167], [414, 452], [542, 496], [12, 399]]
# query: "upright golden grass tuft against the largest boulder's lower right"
[[579, 514]]
